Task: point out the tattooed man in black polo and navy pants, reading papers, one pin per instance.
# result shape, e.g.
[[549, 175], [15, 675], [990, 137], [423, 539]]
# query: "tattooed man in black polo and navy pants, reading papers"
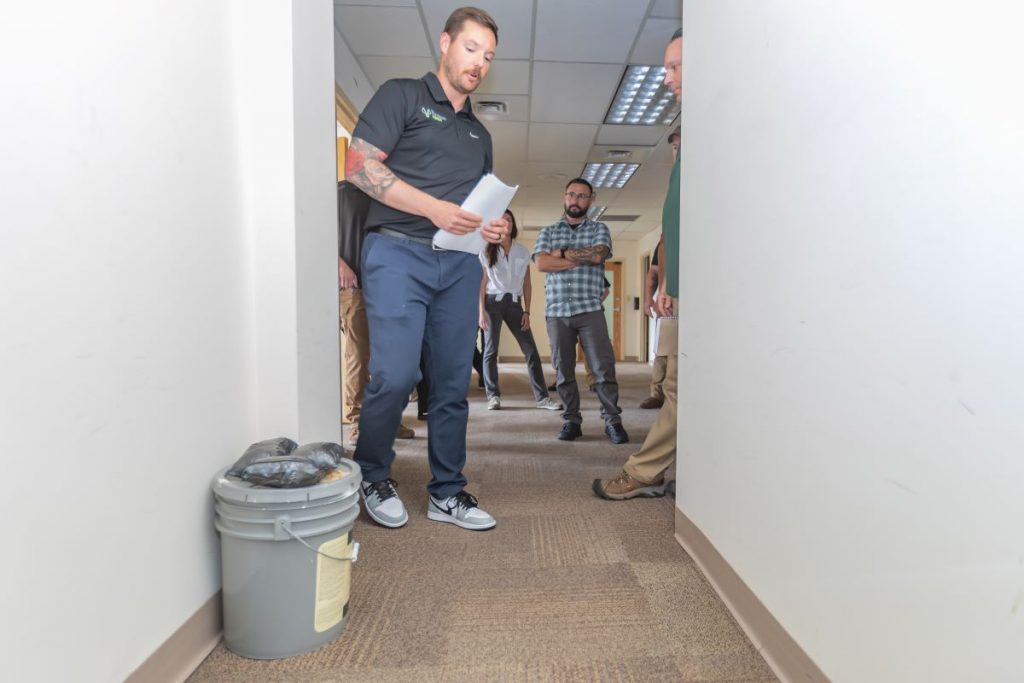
[[418, 151]]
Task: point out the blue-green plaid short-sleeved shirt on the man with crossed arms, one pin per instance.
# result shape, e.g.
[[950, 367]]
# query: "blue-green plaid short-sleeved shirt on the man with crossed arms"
[[578, 290]]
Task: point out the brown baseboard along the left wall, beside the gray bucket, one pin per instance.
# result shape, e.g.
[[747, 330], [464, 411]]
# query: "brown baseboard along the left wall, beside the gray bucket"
[[185, 651]]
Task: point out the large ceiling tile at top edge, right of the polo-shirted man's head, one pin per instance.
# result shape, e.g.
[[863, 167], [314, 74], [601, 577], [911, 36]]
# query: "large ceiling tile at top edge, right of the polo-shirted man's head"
[[587, 31]]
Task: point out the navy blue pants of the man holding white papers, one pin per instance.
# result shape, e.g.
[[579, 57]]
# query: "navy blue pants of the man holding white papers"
[[417, 300]]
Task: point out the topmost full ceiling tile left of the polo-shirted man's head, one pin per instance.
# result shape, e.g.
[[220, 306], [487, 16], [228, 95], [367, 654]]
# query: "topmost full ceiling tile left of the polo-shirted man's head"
[[386, 31]]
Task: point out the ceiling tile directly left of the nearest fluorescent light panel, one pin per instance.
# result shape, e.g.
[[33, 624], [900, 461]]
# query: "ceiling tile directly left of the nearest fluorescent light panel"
[[552, 82]]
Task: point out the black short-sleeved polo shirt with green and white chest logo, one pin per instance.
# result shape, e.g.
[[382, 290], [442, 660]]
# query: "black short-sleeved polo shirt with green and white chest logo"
[[428, 144]]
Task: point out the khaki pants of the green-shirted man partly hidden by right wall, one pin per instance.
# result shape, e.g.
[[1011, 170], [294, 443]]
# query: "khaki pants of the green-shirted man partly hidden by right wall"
[[659, 451]]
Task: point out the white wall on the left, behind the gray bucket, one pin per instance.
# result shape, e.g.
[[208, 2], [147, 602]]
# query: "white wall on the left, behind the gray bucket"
[[161, 301]]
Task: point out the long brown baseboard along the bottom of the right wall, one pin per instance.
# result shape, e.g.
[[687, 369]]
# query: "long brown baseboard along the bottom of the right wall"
[[779, 649]]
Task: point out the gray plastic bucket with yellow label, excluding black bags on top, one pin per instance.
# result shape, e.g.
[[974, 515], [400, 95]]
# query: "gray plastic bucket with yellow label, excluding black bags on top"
[[286, 564]]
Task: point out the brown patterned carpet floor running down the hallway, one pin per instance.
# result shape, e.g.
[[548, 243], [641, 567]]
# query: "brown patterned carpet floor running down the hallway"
[[567, 588]]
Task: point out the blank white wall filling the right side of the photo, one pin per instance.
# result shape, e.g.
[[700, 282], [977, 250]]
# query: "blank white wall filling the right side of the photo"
[[851, 284]]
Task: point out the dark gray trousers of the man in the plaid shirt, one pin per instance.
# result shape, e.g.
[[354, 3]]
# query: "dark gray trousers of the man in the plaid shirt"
[[592, 332]]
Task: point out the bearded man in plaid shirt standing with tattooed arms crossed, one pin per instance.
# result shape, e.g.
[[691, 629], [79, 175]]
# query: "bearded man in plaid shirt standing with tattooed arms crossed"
[[573, 253]]
